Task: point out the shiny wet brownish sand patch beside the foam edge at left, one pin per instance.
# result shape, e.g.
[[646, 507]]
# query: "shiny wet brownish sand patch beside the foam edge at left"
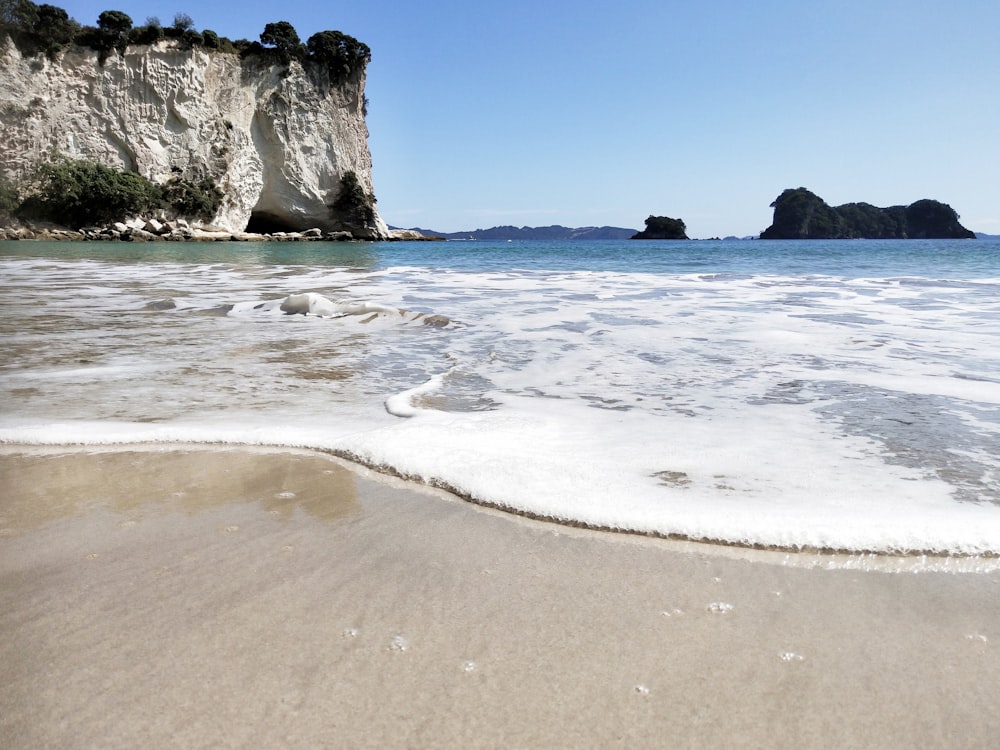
[[44, 486]]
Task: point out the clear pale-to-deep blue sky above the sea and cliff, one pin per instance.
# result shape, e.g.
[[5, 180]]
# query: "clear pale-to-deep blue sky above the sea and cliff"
[[537, 112]]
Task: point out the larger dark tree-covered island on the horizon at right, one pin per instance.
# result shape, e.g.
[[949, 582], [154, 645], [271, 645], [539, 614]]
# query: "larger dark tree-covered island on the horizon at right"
[[802, 215]]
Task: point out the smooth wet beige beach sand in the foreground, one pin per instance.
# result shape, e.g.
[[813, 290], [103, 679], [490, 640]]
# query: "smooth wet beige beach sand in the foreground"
[[244, 598]]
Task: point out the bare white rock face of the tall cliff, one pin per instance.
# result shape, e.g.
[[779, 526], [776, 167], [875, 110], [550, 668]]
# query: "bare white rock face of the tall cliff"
[[276, 139]]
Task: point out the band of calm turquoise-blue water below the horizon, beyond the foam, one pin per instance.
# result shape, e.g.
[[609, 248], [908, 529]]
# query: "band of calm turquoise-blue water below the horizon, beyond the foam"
[[859, 258]]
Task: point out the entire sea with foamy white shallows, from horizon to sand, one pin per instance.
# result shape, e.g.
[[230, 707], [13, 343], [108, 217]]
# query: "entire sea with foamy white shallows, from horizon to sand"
[[823, 395]]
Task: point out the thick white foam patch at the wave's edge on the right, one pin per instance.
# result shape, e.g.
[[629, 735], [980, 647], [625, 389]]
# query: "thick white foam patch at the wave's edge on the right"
[[785, 486]]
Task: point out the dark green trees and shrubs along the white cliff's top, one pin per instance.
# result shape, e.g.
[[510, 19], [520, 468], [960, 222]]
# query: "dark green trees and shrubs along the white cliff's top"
[[47, 29]]
